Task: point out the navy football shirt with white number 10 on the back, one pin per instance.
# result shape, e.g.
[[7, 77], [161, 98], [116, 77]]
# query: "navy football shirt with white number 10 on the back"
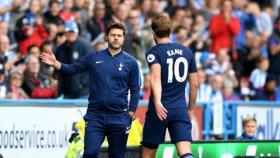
[[176, 63]]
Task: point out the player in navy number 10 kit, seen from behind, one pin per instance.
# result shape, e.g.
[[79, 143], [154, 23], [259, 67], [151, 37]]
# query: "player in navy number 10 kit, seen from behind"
[[167, 104]]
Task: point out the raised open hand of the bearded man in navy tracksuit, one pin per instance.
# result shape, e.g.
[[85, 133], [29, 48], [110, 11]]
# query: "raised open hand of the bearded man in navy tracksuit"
[[48, 57]]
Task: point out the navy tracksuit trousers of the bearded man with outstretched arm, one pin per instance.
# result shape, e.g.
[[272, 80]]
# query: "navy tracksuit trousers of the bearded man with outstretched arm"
[[115, 127]]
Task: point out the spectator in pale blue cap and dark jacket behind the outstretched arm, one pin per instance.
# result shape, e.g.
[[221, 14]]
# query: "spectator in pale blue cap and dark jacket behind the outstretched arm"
[[69, 52]]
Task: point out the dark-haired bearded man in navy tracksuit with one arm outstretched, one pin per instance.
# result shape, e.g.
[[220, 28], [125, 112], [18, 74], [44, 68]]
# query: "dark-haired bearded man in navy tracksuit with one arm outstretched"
[[112, 74]]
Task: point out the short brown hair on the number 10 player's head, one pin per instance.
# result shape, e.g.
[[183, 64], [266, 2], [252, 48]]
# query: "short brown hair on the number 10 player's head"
[[161, 26]]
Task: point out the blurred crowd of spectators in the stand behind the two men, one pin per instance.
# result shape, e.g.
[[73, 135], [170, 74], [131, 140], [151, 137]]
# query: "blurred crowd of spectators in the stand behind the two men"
[[236, 44]]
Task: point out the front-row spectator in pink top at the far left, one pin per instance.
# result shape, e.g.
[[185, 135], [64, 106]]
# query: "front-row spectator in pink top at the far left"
[[15, 82]]
